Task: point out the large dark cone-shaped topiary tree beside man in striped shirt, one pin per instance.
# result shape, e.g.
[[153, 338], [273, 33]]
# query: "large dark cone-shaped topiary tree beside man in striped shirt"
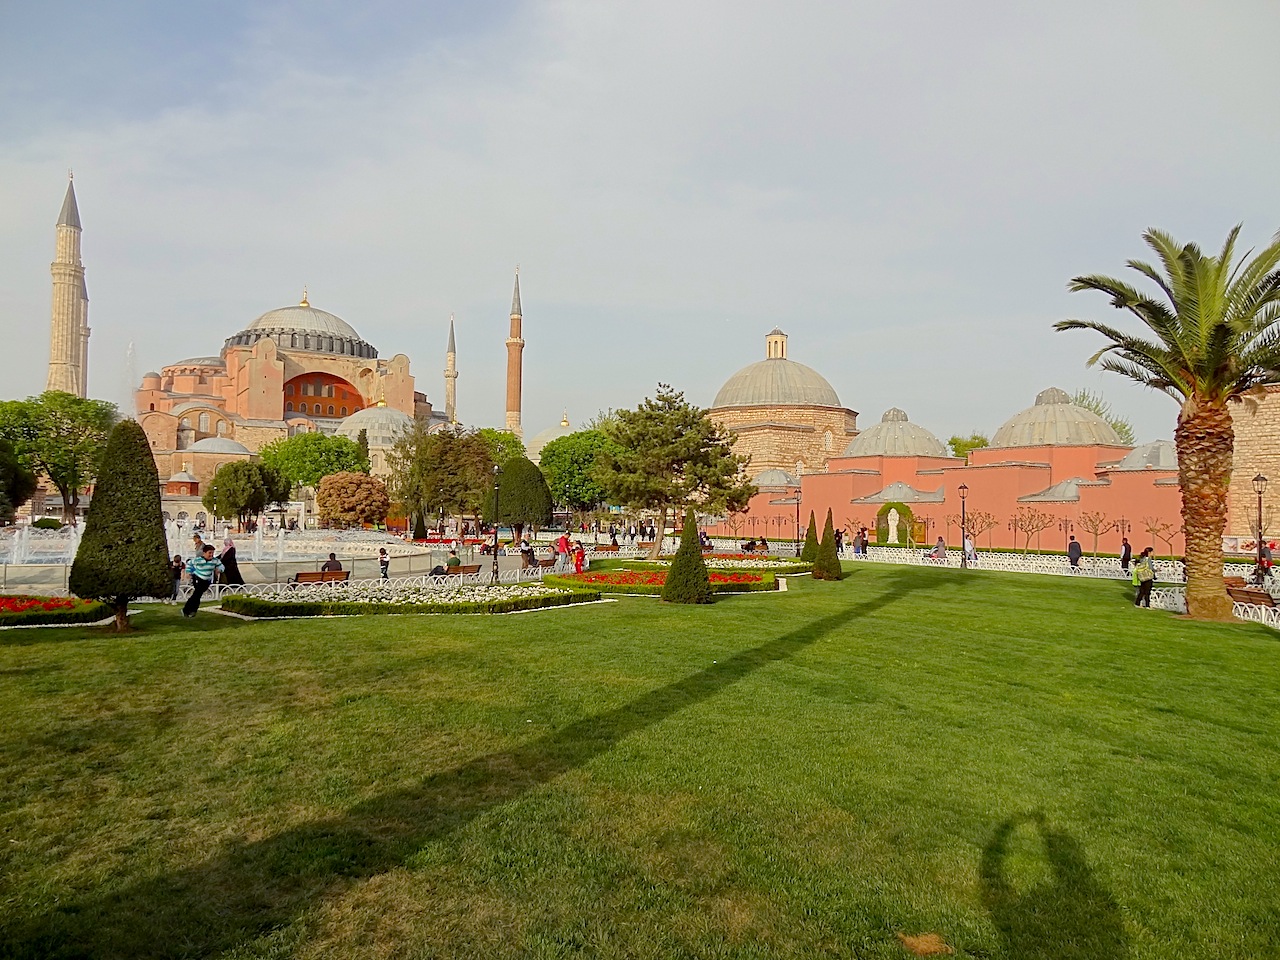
[[124, 555]]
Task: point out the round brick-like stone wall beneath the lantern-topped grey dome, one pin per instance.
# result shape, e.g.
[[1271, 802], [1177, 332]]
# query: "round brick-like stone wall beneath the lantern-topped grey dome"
[[798, 440]]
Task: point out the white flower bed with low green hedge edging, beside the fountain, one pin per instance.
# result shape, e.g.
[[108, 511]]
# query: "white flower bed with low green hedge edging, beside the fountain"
[[461, 600]]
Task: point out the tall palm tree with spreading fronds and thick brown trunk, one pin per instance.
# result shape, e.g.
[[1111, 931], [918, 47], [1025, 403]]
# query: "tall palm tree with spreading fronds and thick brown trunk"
[[1217, 327]]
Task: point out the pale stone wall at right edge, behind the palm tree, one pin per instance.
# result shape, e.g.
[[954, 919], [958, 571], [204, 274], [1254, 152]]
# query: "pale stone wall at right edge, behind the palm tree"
[[1258, 451]]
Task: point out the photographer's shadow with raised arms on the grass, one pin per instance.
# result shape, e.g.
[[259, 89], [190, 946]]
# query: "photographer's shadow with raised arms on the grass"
[[1066, 917]]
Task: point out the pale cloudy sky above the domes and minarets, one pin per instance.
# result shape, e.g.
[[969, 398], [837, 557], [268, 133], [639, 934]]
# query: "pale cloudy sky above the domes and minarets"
[[904, 189]]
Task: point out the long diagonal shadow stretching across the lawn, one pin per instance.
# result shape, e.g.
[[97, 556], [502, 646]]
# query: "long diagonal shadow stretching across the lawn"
[[249, 889]]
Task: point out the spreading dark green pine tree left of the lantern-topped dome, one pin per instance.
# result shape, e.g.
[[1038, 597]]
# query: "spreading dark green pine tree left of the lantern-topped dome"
[[670, 456]]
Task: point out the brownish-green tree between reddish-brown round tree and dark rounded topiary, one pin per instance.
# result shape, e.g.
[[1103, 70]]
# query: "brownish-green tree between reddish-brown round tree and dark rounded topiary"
[[444, 472]]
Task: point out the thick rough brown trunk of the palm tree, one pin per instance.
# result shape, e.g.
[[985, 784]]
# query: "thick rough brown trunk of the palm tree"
[[1205, 442]]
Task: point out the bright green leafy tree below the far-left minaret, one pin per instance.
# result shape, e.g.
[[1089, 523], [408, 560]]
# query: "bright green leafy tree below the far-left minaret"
[[61, 437]]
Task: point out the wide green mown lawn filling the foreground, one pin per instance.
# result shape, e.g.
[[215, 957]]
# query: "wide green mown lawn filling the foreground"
[[1025, 766]]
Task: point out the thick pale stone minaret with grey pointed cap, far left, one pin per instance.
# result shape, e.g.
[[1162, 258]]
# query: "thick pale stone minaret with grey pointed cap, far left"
[[68, 342]]
